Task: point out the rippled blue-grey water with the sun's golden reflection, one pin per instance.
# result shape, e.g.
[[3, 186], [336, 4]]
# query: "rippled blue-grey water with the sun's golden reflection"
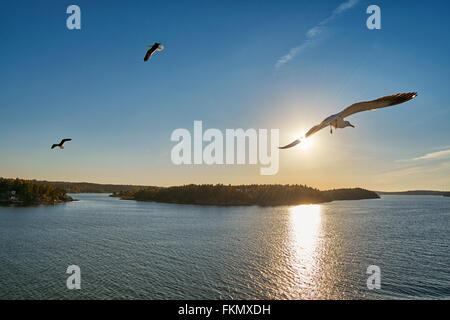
[[136, 250]]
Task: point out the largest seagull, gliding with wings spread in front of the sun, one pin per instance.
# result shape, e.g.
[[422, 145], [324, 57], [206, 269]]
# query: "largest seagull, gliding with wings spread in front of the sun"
[[337, 120]]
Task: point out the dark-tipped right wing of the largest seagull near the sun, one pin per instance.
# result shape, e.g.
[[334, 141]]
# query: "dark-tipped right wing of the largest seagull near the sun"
[[377, 104]]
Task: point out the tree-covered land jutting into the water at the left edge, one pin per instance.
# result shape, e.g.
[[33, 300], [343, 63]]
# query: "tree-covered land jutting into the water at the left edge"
[[21, 192]]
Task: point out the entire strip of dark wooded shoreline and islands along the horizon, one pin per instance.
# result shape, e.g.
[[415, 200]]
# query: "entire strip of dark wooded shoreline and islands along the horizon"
[[35, 192]]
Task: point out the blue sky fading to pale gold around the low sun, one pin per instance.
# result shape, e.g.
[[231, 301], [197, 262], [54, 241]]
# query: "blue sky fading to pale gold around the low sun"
[[231, 64]]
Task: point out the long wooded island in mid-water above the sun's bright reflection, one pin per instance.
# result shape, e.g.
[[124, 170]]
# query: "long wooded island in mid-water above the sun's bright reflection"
[[244, 195]]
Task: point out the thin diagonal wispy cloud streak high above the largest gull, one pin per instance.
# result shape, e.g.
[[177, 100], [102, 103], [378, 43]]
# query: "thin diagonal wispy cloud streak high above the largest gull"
[[314, 34]]
